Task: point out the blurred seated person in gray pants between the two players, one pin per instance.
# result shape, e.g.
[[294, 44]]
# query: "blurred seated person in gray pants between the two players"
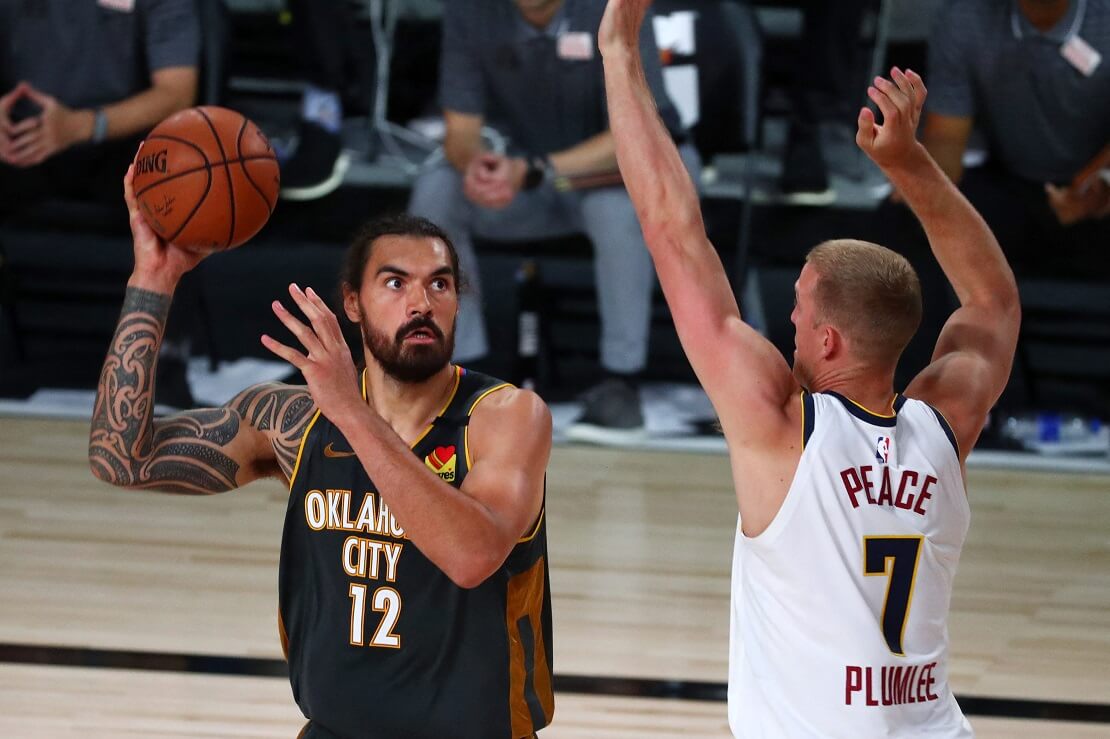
[[532, 69]]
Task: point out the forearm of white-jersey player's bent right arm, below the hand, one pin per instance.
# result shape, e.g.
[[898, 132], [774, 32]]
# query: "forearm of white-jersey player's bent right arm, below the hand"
[[962, 241]]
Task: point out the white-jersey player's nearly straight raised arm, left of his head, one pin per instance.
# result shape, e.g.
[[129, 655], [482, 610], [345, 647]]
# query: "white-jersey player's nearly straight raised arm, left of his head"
[[723, 350]]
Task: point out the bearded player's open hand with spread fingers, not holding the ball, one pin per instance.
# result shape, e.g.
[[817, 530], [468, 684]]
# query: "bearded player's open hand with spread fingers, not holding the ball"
[[327, 366]]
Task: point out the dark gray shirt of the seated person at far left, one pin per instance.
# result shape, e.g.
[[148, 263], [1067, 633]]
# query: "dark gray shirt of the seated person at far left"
[[93, 53]]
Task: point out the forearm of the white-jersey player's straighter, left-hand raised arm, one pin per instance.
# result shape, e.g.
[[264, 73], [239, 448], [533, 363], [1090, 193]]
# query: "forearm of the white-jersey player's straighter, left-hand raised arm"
[[654, 175]]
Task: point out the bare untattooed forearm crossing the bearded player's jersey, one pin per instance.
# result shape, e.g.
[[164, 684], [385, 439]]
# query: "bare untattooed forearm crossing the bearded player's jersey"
[[456, 532]]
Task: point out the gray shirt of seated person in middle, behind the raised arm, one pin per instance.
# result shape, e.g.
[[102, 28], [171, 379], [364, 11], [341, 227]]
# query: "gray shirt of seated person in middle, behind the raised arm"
[[498, 66]]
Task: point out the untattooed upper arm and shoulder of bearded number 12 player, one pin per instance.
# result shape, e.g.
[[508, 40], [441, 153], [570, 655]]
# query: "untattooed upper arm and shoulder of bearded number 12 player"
[[509, 447]]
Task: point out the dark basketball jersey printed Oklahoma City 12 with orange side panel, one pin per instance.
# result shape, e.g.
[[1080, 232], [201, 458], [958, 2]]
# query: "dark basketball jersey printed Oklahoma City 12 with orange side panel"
[[380, 642]]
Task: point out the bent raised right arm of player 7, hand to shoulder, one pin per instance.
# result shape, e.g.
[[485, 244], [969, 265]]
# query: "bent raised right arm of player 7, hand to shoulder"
[[974, 356]]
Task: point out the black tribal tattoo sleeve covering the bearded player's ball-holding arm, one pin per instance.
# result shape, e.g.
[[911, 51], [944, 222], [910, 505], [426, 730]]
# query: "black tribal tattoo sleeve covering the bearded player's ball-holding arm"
[[190, 452]]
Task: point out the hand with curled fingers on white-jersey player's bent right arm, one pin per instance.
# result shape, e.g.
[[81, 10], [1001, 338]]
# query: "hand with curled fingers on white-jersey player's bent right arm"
[[901, 99]]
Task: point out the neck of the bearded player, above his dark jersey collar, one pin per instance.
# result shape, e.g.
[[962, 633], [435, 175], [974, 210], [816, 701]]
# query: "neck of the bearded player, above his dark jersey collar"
[[409, 408]]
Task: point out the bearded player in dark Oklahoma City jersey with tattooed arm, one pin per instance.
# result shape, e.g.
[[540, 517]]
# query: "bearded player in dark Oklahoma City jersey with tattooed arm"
[[415, 598]]
